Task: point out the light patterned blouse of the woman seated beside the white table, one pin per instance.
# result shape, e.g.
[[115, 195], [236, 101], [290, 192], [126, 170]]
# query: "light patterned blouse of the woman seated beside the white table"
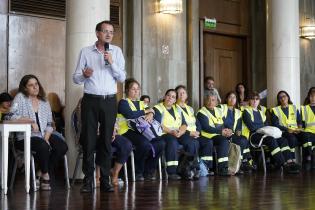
[[22, 107]]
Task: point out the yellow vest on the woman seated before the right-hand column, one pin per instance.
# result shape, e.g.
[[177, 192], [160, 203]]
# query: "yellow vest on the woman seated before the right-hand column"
[[288, 122]]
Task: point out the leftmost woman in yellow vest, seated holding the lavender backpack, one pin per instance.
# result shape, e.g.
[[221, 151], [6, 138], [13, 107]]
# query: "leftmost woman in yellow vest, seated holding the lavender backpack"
[[147, 152]]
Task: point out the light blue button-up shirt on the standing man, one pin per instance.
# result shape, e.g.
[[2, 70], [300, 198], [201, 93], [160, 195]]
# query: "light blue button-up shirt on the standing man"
[[104, 77]]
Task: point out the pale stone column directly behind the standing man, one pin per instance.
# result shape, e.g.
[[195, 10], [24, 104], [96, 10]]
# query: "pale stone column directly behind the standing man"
[[82, 17]]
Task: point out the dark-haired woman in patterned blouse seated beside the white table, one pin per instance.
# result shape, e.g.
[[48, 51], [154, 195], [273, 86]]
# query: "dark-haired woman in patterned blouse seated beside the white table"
[[30, 103]]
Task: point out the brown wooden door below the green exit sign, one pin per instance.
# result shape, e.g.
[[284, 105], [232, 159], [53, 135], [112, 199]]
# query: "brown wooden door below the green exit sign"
[[223, 58]]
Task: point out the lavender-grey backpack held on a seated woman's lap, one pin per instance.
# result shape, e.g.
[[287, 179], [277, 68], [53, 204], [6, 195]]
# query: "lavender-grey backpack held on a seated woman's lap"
[[149, 130]]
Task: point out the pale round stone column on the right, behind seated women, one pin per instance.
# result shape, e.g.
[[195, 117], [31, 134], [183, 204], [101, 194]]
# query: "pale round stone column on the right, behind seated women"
[[283, 52]]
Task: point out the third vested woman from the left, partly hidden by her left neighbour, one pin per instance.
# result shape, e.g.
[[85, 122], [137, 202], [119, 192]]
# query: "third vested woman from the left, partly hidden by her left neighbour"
[[193, 125]]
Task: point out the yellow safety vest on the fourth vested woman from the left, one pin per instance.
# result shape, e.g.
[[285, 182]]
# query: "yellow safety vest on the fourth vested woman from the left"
[[212, 120]]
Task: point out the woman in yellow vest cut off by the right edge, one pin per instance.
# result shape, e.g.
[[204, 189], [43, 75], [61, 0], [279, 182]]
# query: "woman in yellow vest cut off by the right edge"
[[308, 123]]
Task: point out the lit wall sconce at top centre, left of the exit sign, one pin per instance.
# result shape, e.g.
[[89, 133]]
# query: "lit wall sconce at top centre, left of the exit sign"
[[170, 6]]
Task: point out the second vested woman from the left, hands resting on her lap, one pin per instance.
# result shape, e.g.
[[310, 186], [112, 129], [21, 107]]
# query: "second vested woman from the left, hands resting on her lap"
[[174, 129]]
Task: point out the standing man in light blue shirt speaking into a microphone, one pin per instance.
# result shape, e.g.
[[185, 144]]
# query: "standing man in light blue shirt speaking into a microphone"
[[99, 67]]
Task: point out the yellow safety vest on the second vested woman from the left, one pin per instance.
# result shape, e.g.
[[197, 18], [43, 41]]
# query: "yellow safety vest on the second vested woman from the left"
[[167, 119]]
